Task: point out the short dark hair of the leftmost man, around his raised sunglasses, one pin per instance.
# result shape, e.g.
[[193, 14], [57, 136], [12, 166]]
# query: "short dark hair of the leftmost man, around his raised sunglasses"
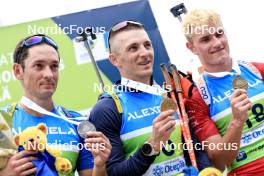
[[21, 49]]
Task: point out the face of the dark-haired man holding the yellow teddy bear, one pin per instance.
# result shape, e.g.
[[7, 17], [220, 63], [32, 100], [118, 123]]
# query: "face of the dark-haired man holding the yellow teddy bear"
[[40, 75]]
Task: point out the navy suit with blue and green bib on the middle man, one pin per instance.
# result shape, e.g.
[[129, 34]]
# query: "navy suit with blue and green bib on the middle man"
[[131, 129]]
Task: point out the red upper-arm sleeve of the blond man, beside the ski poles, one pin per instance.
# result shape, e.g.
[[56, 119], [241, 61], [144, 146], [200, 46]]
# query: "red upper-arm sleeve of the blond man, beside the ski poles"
[[200, 120]]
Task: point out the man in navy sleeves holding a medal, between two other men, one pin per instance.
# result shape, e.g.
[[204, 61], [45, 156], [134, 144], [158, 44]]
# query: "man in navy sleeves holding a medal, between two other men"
[[131, 117]]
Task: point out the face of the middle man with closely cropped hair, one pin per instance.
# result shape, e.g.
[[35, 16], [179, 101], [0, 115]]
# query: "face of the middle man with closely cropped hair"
[[133, 54]]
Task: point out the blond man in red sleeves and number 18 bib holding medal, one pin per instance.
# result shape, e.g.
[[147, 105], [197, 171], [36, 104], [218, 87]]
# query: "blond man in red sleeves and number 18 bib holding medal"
[[226, 108]]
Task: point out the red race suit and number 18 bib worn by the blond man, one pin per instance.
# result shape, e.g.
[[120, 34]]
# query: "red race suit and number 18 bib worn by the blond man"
[[209, 119]]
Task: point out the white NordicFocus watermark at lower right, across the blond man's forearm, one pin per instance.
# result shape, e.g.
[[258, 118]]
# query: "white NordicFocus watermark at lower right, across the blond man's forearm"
[[169, 145]]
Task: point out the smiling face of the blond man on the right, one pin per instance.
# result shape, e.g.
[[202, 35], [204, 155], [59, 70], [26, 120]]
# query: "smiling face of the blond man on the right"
[[211, 46]]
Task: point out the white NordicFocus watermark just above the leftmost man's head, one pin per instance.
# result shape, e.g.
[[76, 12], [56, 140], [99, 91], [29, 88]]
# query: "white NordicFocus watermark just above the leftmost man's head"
[[58, 29]]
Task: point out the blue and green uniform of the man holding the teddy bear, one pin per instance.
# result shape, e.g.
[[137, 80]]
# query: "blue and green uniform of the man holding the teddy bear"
[[60, 134]]
